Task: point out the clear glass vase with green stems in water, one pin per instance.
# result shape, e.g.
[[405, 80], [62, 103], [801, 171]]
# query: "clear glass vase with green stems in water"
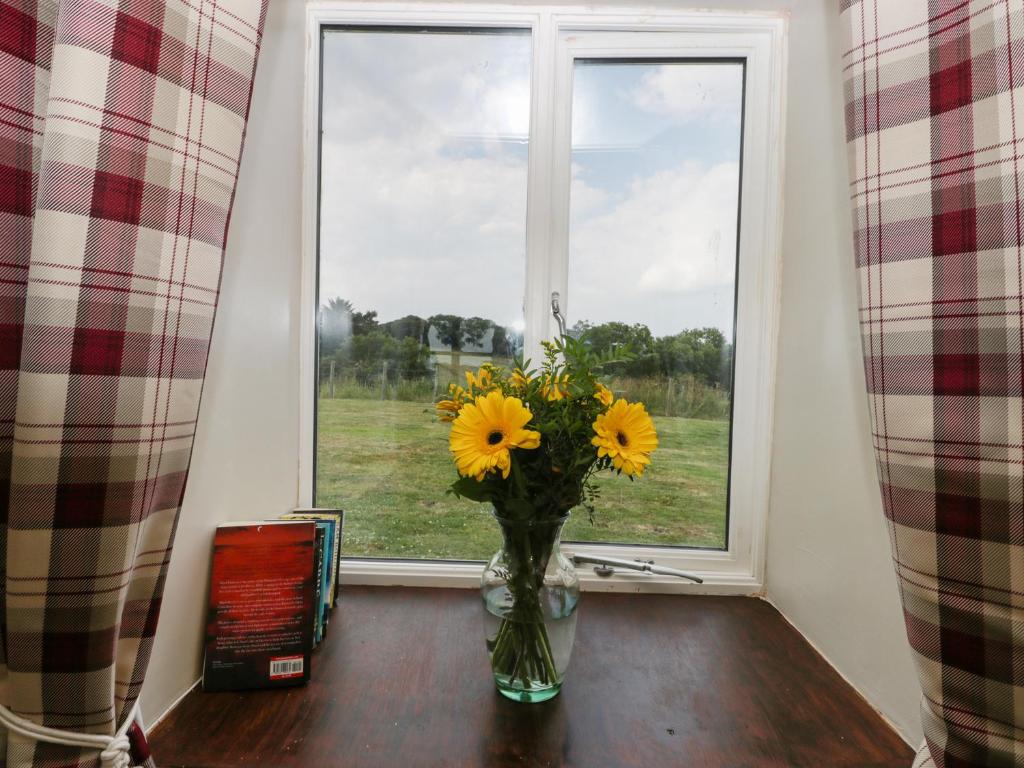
[[531, 592]]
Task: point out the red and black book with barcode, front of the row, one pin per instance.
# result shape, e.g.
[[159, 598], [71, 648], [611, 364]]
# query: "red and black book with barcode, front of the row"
[[260, 624]]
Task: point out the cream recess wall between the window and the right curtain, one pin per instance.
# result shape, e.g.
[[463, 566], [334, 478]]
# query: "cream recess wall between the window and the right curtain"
[[829, 568]]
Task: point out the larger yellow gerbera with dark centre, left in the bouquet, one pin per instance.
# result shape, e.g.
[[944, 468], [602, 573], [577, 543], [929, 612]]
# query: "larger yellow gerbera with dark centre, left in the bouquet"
[[485, 432]]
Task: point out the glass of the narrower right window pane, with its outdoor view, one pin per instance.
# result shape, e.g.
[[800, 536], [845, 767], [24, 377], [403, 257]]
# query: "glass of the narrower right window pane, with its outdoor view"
[[653, 268]]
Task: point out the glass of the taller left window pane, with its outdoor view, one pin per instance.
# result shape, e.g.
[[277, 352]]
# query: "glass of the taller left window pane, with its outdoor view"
[[423, 210]]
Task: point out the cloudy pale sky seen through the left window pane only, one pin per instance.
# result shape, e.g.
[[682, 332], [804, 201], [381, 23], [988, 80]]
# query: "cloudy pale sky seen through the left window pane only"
[[423, 205]]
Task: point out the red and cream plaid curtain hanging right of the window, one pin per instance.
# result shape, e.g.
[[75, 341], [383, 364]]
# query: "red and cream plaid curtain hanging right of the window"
[[935, 122]]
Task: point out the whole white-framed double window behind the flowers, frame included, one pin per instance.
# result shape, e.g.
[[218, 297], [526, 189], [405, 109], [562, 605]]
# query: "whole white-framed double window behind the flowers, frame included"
[[463, 165]]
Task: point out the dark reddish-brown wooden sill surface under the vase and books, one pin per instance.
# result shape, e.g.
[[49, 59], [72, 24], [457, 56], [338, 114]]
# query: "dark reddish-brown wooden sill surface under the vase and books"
[[656, 681]]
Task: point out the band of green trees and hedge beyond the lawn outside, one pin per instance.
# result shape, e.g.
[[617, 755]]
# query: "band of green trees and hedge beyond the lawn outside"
[[688, 374]]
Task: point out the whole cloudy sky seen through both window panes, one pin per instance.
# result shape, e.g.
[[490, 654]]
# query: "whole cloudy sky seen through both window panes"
[[423, 178]]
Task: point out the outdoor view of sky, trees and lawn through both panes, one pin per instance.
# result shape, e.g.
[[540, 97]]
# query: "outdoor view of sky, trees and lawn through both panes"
[[425, 139]]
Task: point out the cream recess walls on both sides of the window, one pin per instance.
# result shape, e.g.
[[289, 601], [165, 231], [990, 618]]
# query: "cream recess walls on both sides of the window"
[[829, 566]]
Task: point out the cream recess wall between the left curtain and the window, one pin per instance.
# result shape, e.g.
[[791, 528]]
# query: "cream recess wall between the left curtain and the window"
[[245, 462]]
